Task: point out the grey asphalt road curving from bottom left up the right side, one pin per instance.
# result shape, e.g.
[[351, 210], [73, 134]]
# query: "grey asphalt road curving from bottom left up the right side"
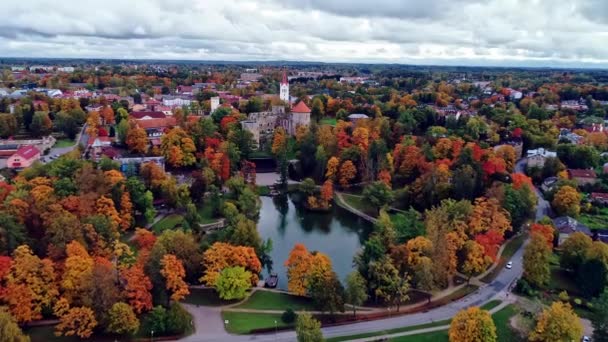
[[481, 296]]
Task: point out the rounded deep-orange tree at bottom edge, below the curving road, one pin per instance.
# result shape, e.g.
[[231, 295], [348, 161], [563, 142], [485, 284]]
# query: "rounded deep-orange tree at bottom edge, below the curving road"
[[471, 325]]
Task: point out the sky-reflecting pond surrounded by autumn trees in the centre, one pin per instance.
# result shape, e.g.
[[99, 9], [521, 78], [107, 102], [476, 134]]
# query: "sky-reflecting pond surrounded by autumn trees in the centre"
[[337, 233]]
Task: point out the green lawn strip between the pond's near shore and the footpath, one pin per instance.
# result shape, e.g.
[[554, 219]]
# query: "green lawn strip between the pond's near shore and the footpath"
[[267, 300]]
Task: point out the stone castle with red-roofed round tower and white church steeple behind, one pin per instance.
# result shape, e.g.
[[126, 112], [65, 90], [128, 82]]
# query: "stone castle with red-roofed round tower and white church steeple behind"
[[262, 124]]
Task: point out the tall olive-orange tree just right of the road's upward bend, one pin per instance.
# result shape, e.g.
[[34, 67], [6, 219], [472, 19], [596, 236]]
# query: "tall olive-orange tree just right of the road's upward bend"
[[537, 255]]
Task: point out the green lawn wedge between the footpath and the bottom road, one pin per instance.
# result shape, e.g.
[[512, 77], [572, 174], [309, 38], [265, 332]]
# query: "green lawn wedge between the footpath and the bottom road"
[[246, 322]]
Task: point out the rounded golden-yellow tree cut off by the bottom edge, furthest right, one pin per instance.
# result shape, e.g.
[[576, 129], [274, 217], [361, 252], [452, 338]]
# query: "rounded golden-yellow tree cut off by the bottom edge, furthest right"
[[557, 323]]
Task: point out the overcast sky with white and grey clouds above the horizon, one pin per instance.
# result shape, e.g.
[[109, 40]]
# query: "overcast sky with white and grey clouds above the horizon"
[[454, 32]]
